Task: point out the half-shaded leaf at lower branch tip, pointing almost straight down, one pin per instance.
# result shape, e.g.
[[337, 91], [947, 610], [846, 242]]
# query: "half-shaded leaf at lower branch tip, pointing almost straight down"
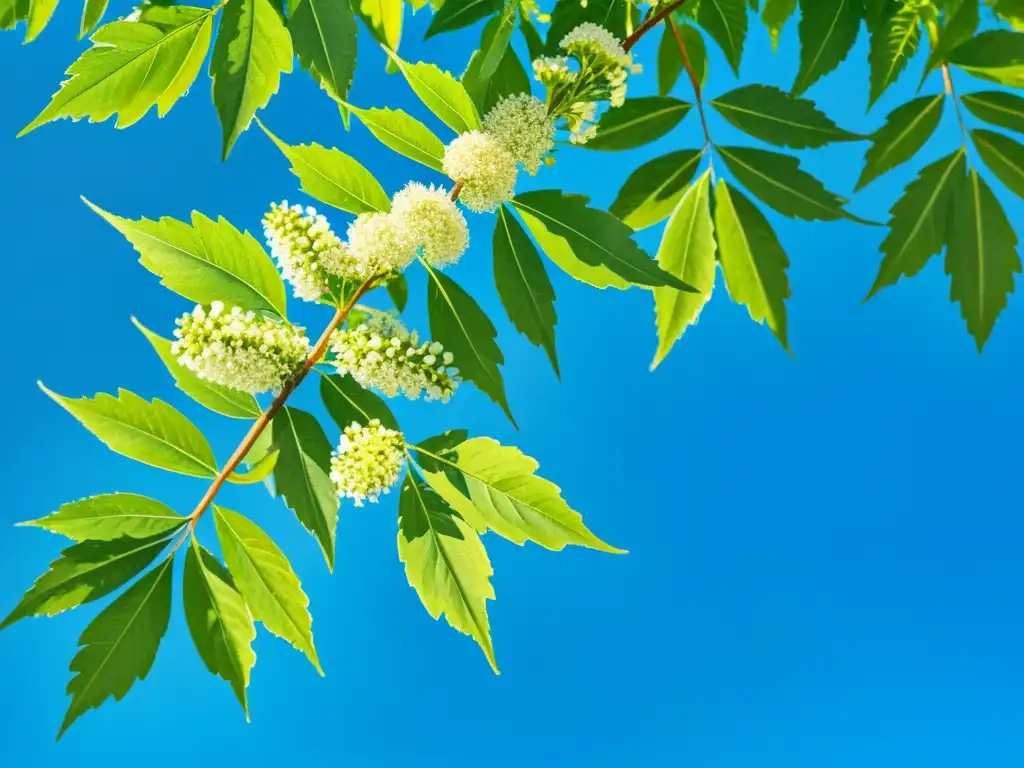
[[219, 620]]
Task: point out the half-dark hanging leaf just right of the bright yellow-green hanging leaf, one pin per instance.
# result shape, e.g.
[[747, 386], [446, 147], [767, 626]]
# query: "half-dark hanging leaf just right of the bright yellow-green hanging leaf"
[[753, 261]]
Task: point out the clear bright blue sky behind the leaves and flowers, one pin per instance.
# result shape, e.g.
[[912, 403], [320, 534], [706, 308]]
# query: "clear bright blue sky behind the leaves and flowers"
[[825, 563]]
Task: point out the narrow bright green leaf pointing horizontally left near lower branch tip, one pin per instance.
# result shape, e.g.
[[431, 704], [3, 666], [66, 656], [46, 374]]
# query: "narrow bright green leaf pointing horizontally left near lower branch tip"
[[110, 517]]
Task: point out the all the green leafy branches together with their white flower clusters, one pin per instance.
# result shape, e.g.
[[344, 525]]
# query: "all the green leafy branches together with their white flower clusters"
[[238, 343]]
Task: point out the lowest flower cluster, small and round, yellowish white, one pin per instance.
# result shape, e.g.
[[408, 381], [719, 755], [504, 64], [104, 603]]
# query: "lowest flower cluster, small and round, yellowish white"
[[368, 461]]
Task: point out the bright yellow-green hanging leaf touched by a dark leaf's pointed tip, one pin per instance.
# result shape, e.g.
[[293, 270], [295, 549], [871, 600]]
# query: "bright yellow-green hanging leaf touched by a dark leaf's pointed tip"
[[688, 251]]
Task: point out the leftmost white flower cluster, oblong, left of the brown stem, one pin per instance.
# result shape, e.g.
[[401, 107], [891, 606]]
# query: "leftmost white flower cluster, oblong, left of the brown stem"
[[239, 350]]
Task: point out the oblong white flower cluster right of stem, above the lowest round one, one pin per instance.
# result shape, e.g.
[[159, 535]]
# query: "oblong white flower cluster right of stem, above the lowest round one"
[[382, 355]]
